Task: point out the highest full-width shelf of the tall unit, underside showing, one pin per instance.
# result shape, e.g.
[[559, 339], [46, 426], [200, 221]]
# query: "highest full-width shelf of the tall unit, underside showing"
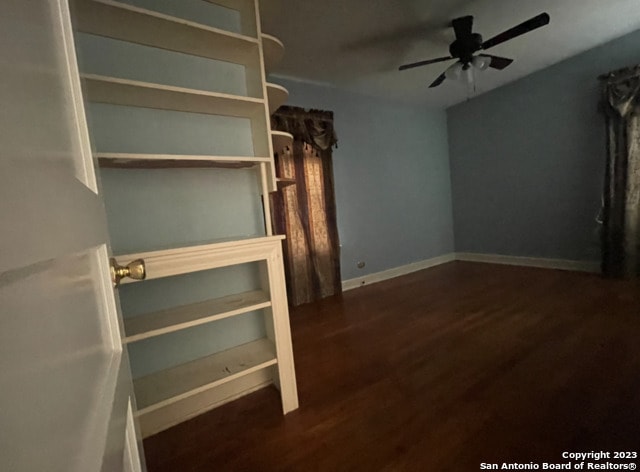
[[125, 22]]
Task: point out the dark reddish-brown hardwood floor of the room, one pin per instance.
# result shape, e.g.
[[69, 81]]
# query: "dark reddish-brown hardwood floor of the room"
[[439, 370]]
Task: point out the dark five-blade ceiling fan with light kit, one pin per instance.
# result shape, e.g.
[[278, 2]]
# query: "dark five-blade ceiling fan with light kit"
[[468, 43]]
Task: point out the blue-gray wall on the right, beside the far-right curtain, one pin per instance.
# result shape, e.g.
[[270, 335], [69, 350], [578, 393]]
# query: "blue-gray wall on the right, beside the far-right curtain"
[[527, 160]]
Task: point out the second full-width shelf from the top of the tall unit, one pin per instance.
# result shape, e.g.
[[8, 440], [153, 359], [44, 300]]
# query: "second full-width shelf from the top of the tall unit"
[[134, 93]]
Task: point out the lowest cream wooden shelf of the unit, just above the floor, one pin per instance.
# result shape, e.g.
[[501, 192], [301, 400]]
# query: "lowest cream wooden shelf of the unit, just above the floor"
[[177, 383]]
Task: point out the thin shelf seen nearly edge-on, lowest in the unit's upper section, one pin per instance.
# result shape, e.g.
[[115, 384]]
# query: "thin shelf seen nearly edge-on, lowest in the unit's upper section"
[[163, 161]]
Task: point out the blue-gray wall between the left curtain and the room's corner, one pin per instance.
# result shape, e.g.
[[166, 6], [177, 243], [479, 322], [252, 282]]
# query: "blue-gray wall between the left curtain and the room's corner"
[[392, 180]]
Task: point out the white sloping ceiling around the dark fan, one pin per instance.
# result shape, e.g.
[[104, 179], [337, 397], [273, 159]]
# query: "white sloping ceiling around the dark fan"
[[359, 44]]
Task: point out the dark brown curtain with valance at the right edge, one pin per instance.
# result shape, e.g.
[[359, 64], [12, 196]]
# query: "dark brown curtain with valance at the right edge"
[[621, 202]]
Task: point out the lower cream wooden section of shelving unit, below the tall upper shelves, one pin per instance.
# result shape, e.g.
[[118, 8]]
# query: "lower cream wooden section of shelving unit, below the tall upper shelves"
[[178, 384]]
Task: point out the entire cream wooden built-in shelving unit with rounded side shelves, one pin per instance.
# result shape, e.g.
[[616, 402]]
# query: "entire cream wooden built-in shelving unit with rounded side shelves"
[[178, 392]]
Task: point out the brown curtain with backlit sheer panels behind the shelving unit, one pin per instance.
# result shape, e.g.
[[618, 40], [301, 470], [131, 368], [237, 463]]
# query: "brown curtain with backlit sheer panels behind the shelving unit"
[[304, 208]]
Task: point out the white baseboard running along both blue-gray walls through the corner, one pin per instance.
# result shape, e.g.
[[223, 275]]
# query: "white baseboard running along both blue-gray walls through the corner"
[[559, 264]]
